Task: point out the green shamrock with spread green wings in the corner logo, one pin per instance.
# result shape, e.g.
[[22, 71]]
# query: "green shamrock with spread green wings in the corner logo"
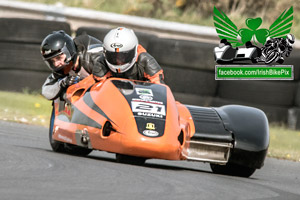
[[226, 29]]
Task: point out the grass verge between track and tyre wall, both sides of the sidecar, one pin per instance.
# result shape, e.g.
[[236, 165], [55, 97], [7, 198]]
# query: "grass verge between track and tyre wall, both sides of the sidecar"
[[35, 109]]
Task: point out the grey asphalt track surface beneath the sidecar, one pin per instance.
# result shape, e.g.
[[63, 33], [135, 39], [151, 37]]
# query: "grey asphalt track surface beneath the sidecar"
[[30, 170]]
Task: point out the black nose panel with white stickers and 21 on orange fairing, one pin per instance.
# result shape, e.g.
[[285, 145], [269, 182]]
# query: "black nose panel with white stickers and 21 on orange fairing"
[[148, 104]]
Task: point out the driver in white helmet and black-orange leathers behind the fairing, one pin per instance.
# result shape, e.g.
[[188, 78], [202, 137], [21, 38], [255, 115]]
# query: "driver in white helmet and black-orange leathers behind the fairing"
[[124, 57]]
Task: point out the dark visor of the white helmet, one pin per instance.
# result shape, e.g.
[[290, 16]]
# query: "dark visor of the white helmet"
[[120, 58]]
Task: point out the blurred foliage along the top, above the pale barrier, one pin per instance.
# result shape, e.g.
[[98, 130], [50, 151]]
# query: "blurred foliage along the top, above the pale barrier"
[[193, 11]]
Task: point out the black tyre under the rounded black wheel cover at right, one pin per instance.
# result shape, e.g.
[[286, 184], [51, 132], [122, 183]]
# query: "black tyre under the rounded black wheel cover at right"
[[232, 170]]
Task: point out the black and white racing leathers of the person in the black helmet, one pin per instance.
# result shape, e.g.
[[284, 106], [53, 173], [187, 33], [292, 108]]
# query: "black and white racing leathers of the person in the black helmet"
[[89, 50]]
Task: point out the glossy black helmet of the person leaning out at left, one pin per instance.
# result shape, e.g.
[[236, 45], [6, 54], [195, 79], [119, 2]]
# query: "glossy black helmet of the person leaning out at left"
[[56, 43]]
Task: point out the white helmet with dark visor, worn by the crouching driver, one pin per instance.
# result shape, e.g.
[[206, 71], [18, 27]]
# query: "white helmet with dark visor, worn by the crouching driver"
[[120, 48]]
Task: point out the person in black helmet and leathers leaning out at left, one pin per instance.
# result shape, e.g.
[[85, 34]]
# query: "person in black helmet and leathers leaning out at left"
[[69, 60]]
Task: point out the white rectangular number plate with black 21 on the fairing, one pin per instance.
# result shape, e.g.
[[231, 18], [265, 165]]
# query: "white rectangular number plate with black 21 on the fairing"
[[148, 108]]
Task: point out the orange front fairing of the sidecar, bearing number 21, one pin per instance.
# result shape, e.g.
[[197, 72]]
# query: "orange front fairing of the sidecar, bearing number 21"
[[90, 105]]
